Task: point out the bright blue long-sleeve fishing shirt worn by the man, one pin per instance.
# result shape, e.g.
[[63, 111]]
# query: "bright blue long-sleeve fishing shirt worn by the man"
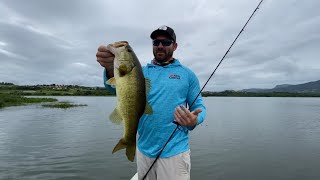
[[171, 86]]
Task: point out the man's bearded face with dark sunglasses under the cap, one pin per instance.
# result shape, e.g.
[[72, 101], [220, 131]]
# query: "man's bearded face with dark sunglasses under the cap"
[[162, 51]]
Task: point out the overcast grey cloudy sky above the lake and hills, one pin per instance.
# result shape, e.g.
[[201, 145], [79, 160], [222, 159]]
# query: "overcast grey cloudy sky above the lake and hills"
[[46, 42]]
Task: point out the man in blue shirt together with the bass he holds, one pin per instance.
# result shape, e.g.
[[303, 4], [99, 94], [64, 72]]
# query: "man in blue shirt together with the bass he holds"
[[149, 99]]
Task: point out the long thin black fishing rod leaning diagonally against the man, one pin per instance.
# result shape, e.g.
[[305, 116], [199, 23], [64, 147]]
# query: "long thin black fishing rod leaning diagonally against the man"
[[178, 125]]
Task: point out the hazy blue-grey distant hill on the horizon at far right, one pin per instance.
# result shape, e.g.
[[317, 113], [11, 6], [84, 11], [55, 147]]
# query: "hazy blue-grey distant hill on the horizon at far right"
[[309, 87]]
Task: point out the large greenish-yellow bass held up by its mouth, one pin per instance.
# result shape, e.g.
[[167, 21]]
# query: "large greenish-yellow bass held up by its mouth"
[[131, 90]]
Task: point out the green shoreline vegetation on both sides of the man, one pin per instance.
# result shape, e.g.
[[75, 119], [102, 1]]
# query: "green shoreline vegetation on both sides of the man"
[[15, 95]]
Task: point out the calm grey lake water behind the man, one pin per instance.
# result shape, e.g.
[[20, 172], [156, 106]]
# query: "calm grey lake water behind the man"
[[241, 138]]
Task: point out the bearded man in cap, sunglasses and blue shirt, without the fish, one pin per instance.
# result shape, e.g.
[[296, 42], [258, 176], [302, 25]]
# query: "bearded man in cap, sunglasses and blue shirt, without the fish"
[[172, 87]]
